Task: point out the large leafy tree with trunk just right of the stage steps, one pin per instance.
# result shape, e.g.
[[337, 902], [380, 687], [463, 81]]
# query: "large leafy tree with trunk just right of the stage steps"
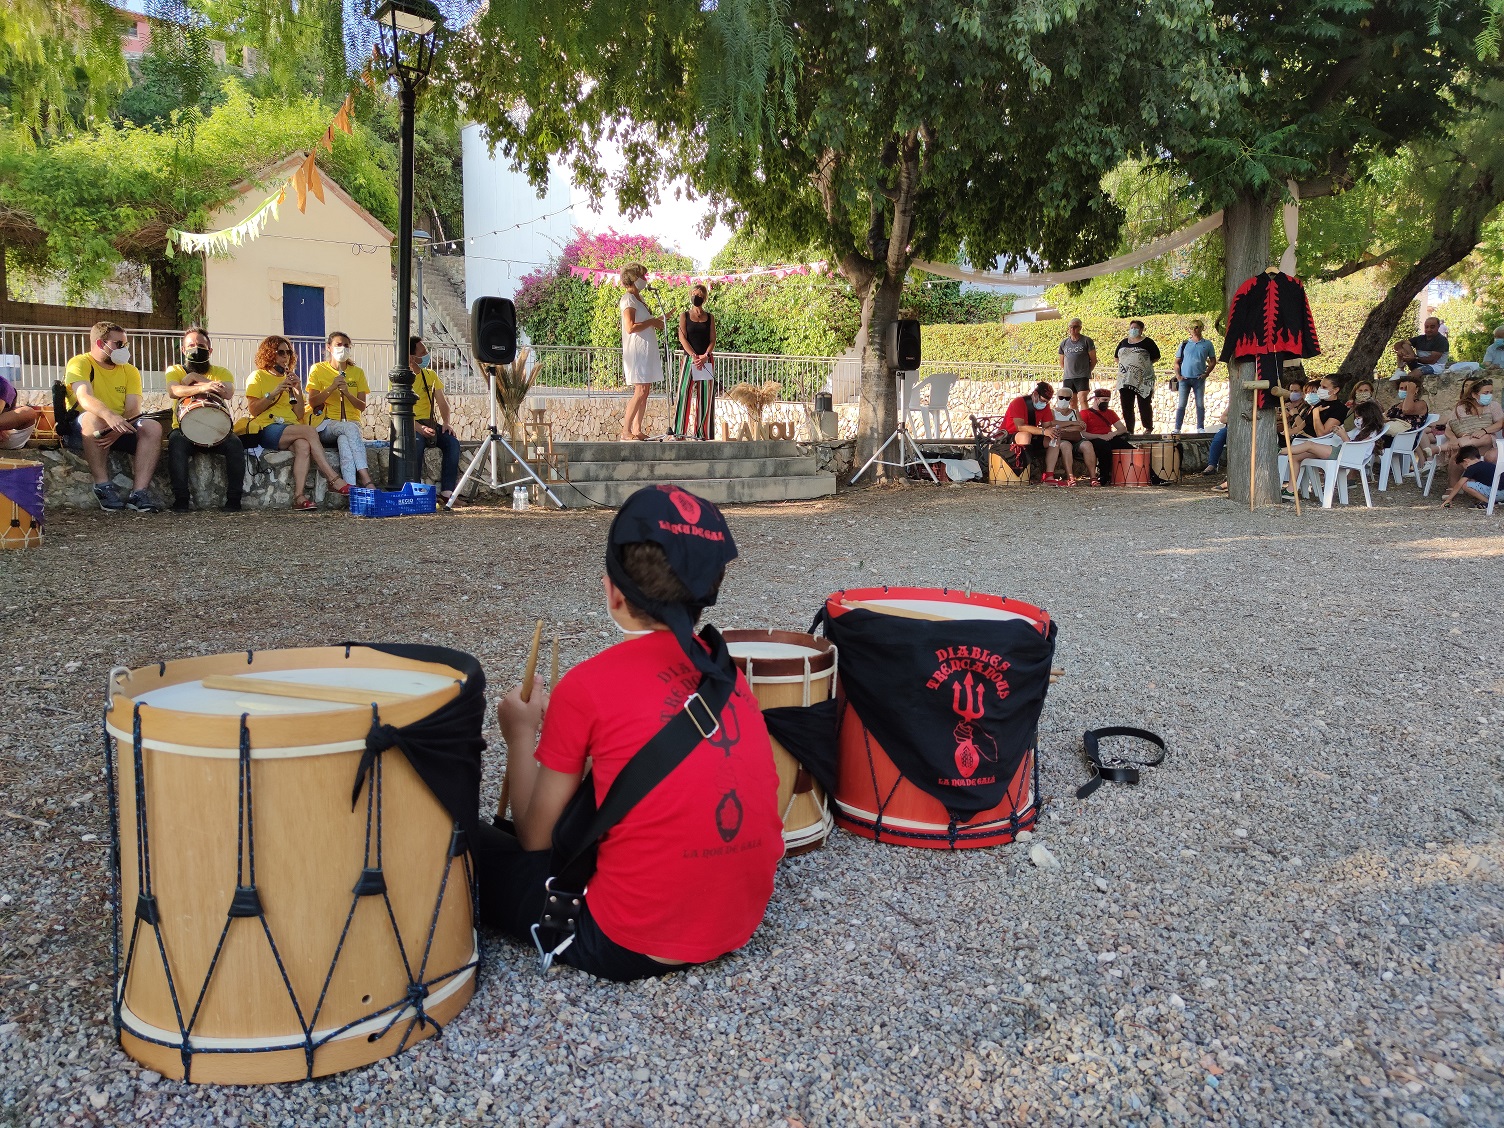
[[878, 130]]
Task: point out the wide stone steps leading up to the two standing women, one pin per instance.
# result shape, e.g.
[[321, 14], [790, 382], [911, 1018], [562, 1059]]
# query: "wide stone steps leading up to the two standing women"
[[724, 473]]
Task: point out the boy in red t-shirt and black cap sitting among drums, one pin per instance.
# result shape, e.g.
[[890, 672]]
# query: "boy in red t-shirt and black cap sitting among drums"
[[688, 872]]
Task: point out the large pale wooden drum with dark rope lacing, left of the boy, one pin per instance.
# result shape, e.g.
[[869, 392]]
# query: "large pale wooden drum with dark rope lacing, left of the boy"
[[274, 926]]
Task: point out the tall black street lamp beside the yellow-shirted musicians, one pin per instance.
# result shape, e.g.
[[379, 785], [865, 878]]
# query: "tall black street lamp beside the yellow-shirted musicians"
[[408, 32]]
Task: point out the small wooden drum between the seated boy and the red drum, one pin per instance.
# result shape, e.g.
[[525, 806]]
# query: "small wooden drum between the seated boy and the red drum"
[[787, 669]]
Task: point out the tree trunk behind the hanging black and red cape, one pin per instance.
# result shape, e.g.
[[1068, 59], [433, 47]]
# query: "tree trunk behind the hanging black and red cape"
[[1246, 241]]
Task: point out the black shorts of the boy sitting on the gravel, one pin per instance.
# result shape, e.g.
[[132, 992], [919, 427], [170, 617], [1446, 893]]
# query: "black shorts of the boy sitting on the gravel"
[[511, 885]]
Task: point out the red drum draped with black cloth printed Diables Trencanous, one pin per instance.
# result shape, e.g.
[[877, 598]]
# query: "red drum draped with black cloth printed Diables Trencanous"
[[941, 700]]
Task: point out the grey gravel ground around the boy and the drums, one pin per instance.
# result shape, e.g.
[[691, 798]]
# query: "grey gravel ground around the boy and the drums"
[[1296, 921]]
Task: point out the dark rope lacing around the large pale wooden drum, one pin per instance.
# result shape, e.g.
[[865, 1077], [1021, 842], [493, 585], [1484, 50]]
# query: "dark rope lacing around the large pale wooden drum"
[[247, 903]]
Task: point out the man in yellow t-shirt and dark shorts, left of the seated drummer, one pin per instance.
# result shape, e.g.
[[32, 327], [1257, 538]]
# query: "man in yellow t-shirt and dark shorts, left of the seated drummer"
[[105, 389]]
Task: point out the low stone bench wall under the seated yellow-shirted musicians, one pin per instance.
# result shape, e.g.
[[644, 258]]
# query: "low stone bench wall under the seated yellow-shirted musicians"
[[68, 485]]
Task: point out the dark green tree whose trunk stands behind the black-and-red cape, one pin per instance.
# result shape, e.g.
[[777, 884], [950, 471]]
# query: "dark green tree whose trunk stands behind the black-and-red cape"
[[1321, 88]]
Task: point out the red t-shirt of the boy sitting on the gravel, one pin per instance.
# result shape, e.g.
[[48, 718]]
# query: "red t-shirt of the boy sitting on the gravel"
[[690, 872]]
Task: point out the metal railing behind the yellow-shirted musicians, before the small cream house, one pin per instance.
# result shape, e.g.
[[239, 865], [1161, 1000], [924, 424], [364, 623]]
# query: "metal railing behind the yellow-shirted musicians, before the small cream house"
[[41, 354]]
